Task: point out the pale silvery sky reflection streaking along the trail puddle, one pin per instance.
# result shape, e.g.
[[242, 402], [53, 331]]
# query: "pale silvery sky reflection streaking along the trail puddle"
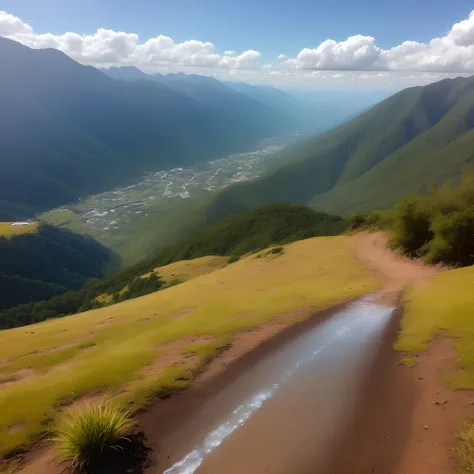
[[342, 336]]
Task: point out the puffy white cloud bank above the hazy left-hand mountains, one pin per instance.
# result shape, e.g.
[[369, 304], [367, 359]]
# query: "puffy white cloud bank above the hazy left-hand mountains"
[[116, 48]]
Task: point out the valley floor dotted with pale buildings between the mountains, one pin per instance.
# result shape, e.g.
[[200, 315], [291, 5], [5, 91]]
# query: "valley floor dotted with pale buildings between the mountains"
[[114, 217]]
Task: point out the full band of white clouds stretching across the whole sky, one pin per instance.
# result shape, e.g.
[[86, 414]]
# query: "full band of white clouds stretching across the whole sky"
[[356, 60]]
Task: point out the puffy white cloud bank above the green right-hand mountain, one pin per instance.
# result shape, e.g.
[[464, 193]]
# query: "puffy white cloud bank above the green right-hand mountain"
[[453, 52]]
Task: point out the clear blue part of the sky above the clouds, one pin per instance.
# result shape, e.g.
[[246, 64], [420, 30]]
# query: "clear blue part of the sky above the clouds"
[[269, 26]]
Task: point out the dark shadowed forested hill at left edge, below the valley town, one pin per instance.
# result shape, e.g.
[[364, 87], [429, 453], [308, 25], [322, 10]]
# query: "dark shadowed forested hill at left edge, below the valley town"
[[38, 265]]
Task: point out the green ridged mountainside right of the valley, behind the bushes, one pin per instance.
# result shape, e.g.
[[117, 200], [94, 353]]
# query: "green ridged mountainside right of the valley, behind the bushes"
[[421, 136]]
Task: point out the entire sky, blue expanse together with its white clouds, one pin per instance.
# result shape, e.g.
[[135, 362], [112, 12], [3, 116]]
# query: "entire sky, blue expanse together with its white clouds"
[[294, 44]]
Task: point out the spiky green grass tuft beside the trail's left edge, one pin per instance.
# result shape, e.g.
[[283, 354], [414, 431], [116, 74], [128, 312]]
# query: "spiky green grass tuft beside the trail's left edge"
[[88, 432]]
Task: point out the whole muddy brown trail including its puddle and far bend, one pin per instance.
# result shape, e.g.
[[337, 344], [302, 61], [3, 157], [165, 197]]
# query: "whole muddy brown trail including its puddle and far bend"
[[325, 387]]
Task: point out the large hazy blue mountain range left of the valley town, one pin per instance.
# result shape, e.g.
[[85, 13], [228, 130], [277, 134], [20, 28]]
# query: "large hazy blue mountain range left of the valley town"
[[67, 130]]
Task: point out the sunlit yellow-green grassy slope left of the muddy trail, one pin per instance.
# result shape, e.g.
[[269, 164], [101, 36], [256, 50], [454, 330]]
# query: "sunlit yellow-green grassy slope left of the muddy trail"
[[113, 349]]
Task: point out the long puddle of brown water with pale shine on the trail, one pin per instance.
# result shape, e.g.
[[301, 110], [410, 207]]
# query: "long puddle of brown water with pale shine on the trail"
[[293, 404]]
